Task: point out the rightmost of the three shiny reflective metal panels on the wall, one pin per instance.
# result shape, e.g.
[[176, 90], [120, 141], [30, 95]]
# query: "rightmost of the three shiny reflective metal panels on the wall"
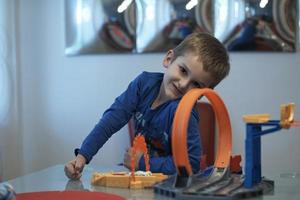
[[255, 26]]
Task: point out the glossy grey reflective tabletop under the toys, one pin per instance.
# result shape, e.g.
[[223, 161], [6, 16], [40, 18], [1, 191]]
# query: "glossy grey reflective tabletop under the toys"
[[53, 179]]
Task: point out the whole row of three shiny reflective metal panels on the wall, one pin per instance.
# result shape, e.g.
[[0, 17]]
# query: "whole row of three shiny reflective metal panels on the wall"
[[101, 26]]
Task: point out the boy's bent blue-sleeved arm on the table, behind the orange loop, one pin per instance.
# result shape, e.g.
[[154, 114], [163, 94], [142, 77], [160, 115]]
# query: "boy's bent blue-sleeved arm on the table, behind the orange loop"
[[166, 164]]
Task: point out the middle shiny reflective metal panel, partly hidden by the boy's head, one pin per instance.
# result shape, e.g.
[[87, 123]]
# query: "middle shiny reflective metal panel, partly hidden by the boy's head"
[[163, 24]]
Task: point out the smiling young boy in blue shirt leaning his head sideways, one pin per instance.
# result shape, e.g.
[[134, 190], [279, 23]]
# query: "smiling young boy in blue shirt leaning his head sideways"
[[200, 61]]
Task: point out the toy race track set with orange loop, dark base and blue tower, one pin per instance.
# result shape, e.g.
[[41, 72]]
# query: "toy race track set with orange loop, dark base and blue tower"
[[219, 182]]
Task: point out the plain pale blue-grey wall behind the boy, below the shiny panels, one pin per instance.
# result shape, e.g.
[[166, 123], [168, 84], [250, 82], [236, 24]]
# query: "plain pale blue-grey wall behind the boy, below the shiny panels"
[[63, 97]]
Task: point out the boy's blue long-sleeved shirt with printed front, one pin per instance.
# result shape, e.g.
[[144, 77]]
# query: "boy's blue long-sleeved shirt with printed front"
[[154, 124]]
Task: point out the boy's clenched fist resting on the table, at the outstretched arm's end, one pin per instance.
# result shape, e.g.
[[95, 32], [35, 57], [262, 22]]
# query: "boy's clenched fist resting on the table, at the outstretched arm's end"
[[73, 169]]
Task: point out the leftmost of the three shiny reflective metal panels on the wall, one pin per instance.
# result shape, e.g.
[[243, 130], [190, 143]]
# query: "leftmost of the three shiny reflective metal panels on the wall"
[[99, 26]]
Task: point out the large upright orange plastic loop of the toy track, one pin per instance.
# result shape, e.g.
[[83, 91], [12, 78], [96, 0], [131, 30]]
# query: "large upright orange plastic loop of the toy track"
[[180, 127]]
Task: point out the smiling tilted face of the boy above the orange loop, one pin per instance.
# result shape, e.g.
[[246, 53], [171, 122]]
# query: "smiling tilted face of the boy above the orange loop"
[[182, 74]]
